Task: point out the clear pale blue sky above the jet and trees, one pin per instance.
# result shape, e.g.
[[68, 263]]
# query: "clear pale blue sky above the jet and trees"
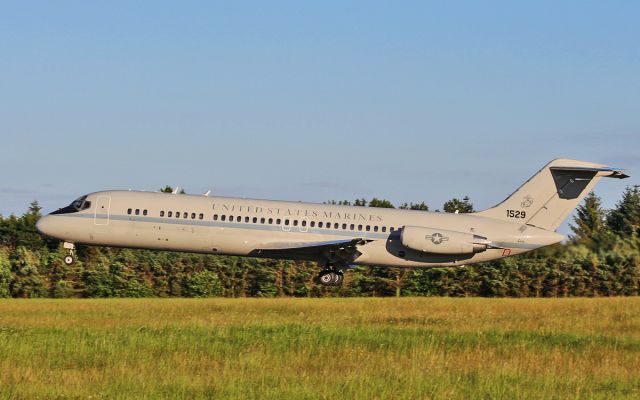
[[409, 101]]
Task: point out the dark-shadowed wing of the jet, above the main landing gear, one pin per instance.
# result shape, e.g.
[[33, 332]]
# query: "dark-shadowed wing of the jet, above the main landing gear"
[[341, 252]]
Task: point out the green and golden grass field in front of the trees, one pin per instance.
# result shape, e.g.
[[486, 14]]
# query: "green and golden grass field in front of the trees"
[[320, 348]]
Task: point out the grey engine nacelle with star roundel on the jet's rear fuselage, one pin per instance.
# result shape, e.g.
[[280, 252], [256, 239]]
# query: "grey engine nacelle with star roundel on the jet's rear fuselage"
[[442, 241]]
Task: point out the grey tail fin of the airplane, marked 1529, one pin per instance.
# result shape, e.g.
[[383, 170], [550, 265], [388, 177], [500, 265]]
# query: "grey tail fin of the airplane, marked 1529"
[[546, 199]]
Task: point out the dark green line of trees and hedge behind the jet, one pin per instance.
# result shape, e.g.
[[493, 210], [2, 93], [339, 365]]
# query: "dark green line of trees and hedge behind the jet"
[[601, 258]]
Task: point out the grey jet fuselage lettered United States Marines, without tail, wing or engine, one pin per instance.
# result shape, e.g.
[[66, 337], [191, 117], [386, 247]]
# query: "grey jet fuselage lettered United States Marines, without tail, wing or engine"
[[233, 226]]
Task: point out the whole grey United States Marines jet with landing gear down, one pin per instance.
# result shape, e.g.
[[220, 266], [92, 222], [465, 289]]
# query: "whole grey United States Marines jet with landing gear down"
[[338, 237]]
